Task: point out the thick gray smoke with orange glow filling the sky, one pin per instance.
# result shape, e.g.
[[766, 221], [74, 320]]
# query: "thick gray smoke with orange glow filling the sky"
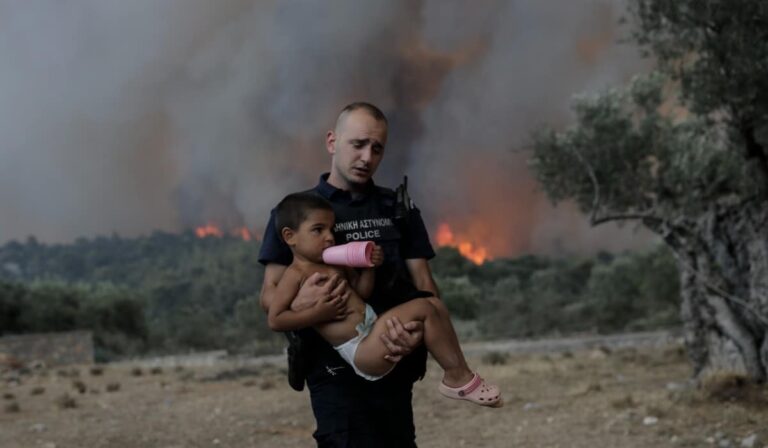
[[142, 115]]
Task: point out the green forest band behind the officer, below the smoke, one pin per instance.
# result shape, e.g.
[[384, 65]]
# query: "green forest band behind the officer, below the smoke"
[[172, 293]]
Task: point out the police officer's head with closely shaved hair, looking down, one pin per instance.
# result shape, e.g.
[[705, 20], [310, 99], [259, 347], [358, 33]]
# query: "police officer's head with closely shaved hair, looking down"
[[357, 147]]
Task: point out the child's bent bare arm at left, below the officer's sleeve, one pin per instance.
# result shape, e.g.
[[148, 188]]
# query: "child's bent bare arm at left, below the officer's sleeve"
[[282, 318]]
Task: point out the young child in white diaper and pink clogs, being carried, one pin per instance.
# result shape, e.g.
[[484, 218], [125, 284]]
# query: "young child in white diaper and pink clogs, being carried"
[[305, 222]]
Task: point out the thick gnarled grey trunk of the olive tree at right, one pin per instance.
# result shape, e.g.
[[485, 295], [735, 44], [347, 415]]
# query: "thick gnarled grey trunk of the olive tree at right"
[[724, 288]]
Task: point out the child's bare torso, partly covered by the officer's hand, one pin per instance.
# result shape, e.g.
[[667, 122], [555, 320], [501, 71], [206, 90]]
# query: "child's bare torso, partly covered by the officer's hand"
[[338, 331]]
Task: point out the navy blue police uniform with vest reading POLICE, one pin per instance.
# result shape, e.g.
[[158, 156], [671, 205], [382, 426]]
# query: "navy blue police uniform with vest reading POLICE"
[[352, 411]]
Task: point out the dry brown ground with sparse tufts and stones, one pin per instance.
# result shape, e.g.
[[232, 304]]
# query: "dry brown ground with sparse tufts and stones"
[[627, 397]]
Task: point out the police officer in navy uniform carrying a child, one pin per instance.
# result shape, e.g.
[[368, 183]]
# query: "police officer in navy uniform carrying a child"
[[351, 411]]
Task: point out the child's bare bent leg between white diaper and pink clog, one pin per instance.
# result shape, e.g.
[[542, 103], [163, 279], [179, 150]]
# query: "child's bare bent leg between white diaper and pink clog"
[[439, 337]]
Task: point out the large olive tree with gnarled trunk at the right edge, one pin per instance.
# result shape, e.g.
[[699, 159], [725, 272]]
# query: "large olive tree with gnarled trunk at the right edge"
[[682, 150]]
